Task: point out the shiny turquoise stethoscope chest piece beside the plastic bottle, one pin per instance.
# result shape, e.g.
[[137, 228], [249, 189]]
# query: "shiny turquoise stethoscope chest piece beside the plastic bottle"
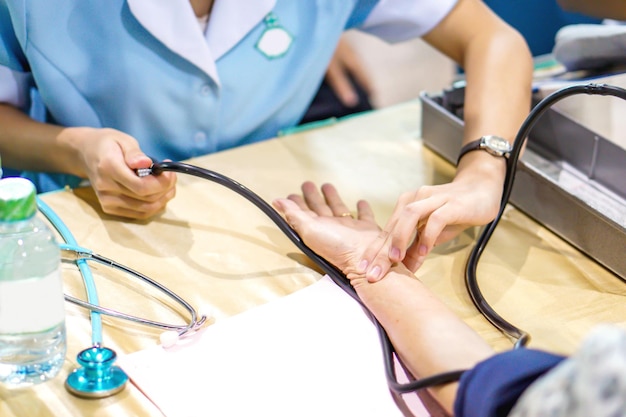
[[97, 377]]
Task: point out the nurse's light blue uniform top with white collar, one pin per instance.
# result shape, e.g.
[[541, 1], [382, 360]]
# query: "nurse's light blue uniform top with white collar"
[[106, 64]]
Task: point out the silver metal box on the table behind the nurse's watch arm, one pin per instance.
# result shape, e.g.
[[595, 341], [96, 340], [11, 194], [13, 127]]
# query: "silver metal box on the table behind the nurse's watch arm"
[[570, 179]]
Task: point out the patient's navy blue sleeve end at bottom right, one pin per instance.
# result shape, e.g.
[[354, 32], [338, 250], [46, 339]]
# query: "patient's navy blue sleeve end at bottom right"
[[492, 388]]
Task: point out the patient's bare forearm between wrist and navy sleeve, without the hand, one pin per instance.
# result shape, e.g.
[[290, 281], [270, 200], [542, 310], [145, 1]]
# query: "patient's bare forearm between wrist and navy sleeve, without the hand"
[[427, 335]]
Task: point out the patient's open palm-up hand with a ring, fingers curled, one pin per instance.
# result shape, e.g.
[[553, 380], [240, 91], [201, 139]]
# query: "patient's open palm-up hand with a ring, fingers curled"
[[327, 227]]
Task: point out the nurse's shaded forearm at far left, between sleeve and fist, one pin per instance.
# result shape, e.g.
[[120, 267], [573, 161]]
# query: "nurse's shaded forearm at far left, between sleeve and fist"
[[26, 144]]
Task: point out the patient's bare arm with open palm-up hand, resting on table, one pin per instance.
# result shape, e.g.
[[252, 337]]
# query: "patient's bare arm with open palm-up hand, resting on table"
[[427, 335]]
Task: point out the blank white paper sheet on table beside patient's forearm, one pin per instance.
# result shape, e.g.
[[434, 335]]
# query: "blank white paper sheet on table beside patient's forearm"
[[312, 353]]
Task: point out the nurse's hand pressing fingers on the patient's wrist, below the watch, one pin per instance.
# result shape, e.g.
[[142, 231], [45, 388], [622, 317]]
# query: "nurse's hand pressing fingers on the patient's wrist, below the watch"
[[436, 214]]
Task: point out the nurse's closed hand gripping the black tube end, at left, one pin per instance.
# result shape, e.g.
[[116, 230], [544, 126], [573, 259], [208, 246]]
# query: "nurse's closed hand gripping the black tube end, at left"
[[110, 158]]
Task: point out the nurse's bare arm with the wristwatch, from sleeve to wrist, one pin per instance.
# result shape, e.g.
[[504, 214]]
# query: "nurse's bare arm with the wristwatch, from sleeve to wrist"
[[498, 69]]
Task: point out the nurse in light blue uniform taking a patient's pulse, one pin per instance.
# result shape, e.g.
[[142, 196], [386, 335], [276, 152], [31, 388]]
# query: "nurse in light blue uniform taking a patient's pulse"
[[121, 80]]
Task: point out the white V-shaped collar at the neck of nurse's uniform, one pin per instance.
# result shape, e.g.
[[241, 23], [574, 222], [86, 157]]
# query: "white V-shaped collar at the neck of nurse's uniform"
[[174, 24]]
